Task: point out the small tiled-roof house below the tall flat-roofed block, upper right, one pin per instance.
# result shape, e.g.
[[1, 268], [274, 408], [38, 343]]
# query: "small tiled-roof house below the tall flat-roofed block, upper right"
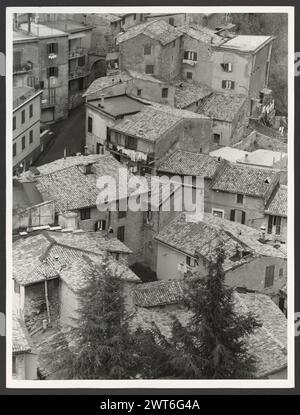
[[229, 114]]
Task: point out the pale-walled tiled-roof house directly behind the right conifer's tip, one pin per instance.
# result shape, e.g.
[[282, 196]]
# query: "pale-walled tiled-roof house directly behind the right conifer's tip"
[[186, 245]]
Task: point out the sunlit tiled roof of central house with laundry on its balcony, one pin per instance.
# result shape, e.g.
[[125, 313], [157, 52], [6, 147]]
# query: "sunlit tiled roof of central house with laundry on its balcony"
[[149, 123]]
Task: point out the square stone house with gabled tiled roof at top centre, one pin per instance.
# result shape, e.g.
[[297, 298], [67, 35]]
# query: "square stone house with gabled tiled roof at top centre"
[[152, 48]]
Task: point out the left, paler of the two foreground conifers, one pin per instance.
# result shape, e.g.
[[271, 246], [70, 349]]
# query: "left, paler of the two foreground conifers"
[[104, 345]]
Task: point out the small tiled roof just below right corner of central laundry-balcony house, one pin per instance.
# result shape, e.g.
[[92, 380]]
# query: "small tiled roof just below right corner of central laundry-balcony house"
[[190, 164]]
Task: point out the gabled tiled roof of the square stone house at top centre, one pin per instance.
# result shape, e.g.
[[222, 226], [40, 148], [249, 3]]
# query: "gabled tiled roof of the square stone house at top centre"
[[157, 29]]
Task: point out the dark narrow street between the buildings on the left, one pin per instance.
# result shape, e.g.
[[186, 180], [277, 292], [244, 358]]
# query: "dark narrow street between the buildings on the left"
[[69, 134]]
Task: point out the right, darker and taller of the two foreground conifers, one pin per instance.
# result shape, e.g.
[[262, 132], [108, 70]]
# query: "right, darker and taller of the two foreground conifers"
[[213, 344]]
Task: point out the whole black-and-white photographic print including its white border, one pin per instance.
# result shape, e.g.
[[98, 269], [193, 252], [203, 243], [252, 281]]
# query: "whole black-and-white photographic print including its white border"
[[150, 197]]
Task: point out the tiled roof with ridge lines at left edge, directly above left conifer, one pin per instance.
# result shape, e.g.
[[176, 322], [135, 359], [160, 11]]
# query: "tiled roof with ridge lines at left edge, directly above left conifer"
[[43, 256]]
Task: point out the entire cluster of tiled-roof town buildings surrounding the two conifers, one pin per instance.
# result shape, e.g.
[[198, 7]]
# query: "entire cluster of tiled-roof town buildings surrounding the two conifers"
[[153, 97]]
